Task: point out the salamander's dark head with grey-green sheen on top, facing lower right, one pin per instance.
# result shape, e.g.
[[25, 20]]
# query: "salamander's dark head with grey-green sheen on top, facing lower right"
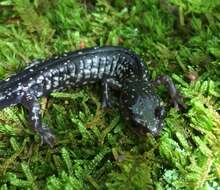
[[143, 108]]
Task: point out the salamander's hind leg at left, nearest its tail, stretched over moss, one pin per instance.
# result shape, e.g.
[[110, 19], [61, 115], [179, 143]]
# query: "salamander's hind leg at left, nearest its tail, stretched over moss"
[[33, 107]]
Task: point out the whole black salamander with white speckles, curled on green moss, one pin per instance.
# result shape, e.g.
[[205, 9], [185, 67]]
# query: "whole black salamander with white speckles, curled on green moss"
[[117, 68]]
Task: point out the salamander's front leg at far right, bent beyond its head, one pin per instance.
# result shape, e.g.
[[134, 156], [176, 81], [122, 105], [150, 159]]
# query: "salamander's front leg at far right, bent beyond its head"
[[176, 98]]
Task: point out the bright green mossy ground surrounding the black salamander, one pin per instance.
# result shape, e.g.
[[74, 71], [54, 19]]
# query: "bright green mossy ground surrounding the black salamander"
[[95, 149]]
